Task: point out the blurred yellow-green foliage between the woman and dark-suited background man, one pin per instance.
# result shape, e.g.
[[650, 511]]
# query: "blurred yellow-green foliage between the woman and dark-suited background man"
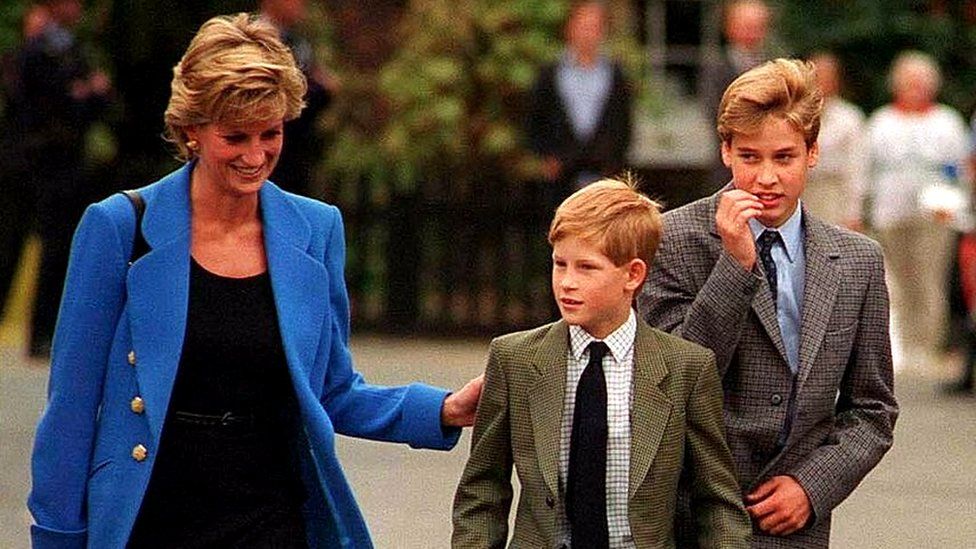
[[450, 101]]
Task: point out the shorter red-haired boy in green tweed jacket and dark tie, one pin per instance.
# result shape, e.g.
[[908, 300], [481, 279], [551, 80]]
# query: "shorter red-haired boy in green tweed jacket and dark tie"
[[598, 445]]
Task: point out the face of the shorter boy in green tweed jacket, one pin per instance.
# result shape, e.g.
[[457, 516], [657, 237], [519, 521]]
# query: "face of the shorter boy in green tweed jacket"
[[590, 290]]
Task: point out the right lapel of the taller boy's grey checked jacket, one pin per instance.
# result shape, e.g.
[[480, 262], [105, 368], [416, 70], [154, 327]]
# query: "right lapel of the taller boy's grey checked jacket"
[[820, 290]]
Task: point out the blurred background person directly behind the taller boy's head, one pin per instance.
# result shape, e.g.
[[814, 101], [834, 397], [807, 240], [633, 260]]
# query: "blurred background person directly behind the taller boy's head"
[[746, 29]]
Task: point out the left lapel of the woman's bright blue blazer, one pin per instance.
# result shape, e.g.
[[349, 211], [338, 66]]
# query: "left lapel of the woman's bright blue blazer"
[[158, 289]]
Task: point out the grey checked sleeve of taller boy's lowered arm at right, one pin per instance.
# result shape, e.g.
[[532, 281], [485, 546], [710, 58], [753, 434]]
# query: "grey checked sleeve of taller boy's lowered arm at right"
[[866, 409]]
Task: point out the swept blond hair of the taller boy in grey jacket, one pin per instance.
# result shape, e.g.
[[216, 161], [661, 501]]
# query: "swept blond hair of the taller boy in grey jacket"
[[782, 88]]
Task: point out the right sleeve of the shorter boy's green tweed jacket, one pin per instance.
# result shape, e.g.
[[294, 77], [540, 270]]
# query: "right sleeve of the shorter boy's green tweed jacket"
[[716, 499]]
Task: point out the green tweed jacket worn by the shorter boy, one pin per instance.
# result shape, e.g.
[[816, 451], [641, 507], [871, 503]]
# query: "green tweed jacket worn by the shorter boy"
[[676, 422]]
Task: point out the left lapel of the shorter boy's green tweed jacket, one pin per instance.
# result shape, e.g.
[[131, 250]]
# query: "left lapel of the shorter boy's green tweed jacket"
[[546, 405]]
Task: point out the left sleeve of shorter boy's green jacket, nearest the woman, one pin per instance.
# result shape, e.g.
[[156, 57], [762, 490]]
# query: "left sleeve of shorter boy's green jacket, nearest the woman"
[[484, 495]]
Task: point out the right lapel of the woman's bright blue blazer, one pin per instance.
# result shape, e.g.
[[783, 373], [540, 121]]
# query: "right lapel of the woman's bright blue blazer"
[[295, 275]]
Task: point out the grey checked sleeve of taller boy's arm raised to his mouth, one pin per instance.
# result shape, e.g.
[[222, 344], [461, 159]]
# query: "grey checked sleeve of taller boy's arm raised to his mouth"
[[712, 315]]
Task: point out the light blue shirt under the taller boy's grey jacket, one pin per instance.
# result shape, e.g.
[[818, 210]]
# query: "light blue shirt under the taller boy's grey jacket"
[[790, 259]]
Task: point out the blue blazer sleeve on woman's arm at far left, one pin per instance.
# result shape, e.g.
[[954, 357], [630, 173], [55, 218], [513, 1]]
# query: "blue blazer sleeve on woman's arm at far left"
[[88, 317]]
